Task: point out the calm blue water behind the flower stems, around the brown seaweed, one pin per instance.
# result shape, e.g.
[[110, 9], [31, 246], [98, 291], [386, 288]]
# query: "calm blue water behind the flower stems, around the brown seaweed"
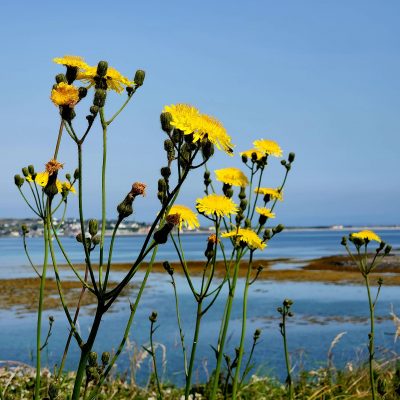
[[321, 310]]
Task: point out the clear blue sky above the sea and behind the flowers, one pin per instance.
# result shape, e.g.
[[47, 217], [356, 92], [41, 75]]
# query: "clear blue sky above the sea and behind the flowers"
[[319, 77]]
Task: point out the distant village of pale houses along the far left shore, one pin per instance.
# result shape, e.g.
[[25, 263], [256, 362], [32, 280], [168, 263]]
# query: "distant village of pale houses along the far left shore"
[[11, 227]]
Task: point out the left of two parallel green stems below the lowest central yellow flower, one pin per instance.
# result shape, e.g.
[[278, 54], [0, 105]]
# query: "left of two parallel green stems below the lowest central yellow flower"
[[224, 327]]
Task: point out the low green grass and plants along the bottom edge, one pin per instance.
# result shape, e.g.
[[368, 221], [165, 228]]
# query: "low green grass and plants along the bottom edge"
[[324, 384]]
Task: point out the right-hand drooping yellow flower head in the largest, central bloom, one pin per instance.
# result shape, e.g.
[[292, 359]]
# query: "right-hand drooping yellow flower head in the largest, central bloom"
[[212, 129]]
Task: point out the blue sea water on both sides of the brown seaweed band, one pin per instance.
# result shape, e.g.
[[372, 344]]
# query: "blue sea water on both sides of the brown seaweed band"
[[322, 311]]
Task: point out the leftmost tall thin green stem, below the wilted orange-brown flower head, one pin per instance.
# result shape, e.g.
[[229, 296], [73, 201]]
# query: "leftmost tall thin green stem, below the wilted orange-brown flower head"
[[40, 309]]
